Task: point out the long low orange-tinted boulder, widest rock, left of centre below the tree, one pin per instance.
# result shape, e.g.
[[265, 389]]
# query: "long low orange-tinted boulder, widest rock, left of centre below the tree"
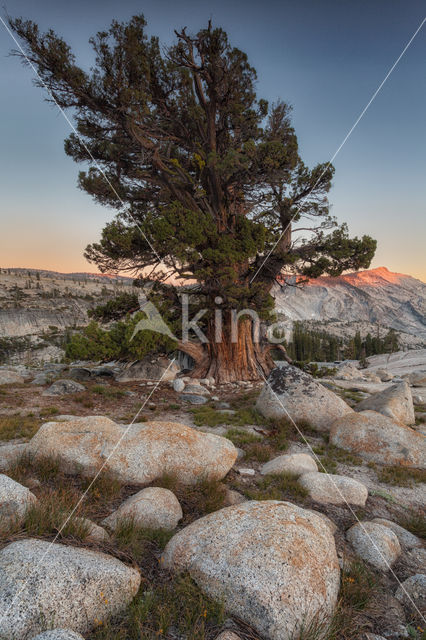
[[138, 454]]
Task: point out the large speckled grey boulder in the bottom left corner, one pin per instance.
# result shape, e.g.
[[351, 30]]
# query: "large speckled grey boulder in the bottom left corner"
[[75, 588]]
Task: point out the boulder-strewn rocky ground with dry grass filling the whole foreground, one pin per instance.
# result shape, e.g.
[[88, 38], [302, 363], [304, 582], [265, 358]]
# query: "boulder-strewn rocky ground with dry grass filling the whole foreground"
[[243, 511]]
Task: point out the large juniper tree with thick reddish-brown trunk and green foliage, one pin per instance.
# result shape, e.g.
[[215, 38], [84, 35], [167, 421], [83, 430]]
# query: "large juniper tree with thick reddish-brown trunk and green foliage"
[[205, 176]]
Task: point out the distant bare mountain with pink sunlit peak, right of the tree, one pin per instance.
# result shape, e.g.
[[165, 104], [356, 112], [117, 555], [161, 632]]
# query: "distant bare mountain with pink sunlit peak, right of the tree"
[[364, 299]]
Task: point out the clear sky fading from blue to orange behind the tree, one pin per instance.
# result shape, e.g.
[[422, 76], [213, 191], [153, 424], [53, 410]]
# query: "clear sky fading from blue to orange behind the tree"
[[325, 57]]
